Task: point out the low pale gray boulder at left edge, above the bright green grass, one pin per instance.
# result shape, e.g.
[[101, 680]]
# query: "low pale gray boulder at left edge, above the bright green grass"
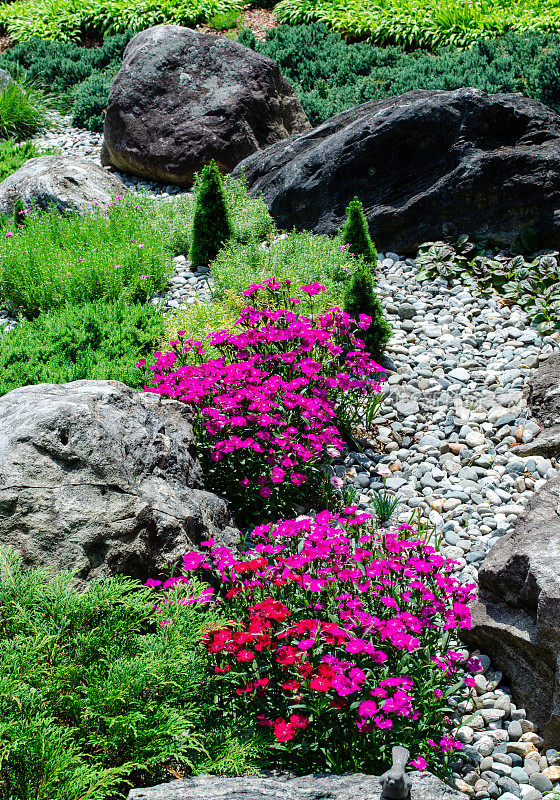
[[64, 181]]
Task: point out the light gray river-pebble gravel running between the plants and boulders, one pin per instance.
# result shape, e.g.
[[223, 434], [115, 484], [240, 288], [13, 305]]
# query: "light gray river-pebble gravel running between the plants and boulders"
[[454, 406]]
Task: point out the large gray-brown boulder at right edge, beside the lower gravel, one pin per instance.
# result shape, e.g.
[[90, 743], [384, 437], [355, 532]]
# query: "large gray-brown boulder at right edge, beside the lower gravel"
[[516, 619]]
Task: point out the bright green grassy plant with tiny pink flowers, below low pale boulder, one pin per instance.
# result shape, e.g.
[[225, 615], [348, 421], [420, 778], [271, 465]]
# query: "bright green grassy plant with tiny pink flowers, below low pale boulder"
[[121, 251]]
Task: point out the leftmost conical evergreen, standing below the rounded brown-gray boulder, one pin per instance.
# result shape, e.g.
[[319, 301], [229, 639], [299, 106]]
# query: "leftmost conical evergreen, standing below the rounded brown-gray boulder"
[[211, 224]]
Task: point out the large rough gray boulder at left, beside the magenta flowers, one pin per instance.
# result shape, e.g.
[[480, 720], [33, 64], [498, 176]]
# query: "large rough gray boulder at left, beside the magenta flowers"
[[98, 478]]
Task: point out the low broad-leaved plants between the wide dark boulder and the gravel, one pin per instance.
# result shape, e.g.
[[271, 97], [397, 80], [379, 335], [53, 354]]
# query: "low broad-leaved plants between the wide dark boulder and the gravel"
[[532, 284]]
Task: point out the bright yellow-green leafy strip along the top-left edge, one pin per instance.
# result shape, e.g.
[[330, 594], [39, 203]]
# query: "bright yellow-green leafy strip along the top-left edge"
[[65, 20]]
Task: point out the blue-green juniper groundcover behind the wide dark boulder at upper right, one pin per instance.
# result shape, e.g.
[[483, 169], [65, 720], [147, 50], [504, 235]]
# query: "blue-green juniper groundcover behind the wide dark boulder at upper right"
[[330, 75]]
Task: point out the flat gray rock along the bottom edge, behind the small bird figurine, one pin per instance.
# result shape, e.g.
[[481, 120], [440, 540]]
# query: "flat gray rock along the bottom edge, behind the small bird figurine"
[[285, 787]]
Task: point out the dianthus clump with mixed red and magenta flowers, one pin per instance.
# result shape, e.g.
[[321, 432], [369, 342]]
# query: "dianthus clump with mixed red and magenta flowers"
[[339, 642]]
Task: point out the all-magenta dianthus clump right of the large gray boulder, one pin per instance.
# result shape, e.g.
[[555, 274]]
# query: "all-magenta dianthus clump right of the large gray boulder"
[[268, 411]]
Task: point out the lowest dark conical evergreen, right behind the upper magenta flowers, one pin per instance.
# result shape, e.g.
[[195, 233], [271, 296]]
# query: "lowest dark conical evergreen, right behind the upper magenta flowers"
[[361, 299]]
